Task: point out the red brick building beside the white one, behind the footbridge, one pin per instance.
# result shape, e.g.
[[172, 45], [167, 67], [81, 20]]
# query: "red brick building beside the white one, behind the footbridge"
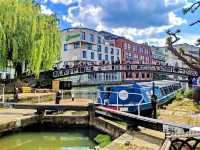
[[134, 53]]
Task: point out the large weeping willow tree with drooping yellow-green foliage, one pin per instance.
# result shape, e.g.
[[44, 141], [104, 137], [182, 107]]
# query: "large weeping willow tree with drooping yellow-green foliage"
[[27, 36]]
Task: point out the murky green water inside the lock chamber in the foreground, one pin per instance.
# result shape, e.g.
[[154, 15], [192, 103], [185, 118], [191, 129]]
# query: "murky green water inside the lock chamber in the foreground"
[[74, 139]]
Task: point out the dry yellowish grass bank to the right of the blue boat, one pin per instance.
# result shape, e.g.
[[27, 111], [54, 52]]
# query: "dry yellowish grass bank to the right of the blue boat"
[[182, 110]]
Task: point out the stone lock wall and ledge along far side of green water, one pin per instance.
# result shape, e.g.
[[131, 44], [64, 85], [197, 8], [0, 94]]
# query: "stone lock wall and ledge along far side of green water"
[[13, 120]]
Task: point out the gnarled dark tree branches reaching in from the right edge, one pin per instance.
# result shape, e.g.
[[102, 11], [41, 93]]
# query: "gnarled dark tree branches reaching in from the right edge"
[[192, 61]]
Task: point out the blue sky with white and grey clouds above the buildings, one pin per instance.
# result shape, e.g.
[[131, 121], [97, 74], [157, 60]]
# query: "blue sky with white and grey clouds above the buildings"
[[138, 20]]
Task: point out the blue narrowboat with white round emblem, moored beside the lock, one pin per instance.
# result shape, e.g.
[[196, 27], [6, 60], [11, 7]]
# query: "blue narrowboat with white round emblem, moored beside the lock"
[[137, 97]]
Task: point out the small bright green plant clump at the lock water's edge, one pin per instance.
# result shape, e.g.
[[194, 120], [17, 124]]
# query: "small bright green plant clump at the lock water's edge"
[[103, 140]]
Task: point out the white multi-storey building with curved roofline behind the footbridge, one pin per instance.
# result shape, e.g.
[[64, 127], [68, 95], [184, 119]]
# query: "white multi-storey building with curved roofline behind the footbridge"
[[81, 46]]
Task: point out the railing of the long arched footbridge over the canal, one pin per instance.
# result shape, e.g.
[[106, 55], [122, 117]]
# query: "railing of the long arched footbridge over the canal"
[[122, 68]]
